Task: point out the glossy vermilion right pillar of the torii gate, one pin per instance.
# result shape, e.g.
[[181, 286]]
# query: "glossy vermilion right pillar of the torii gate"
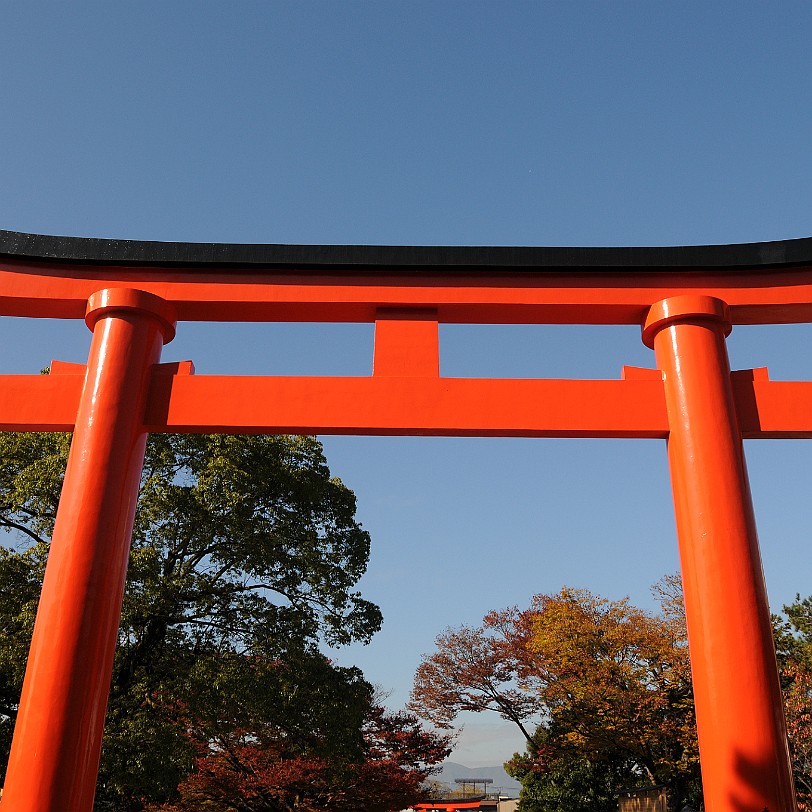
[[740, 719]]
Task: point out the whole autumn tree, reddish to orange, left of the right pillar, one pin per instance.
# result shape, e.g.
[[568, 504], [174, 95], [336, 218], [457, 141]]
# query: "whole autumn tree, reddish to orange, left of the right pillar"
[[610, 683]]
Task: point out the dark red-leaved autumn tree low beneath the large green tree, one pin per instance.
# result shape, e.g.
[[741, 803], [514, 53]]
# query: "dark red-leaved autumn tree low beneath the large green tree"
[[343, 752]]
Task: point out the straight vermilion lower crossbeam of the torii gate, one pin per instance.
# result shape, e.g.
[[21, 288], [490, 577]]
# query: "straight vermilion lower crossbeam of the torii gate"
[[429, 406]]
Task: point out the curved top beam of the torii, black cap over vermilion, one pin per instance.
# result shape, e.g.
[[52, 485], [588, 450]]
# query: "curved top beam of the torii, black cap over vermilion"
[[769, 282]]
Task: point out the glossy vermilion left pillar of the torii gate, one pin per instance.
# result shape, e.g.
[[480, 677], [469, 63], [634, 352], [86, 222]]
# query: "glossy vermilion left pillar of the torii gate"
[[57, 740]]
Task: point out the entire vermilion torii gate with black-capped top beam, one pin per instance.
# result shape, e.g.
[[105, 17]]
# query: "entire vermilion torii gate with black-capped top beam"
[[131, 294]]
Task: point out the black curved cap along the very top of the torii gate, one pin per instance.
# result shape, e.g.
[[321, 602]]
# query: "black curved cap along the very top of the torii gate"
[[756, 256]]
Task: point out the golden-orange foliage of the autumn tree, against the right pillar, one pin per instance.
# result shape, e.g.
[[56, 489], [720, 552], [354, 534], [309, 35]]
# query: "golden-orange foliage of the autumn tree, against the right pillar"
[[615, 681]]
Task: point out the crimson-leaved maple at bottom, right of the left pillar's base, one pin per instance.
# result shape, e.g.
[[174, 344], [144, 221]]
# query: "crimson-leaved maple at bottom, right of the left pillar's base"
[[376, 760]]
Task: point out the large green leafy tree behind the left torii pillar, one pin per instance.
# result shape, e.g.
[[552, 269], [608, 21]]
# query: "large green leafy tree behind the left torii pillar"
[[243, 547]]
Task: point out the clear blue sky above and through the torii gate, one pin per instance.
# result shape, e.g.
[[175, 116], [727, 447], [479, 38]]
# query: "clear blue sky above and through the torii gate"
[[462, 123]]
